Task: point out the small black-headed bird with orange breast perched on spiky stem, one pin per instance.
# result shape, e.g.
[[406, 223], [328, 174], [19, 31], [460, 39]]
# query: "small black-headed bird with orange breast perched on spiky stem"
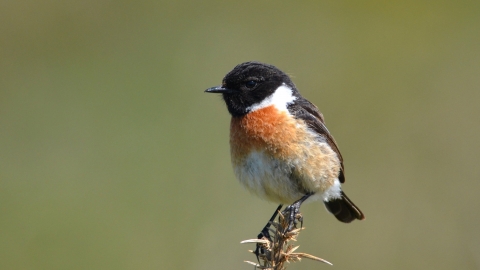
[[280, 148]]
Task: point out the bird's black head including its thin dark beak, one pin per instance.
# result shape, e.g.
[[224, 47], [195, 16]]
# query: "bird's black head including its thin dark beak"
[[250, 83]]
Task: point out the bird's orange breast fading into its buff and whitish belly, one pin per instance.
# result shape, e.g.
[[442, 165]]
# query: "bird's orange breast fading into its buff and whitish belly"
[[277, 157]]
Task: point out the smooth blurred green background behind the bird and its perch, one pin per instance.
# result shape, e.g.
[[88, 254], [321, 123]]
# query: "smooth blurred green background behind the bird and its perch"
[[112, 157]]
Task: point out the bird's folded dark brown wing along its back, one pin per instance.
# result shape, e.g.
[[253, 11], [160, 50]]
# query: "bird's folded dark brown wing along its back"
[[305, 110]]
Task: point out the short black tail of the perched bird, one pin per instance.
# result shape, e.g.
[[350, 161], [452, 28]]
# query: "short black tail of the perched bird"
[[344, 209]]
